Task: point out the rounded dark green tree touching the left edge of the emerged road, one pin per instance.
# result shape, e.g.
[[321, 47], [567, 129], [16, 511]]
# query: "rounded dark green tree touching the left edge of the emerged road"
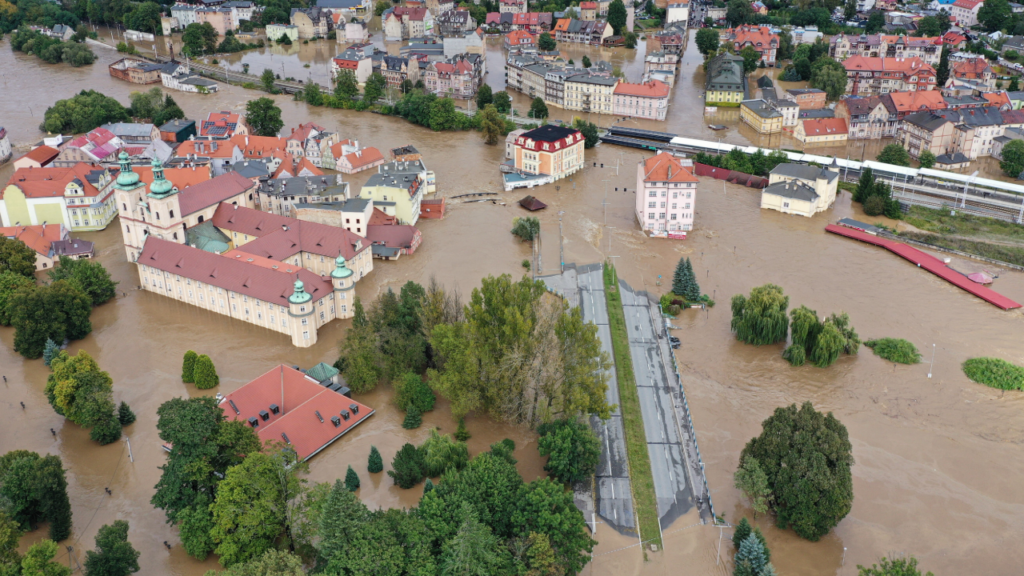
[[573, 450]]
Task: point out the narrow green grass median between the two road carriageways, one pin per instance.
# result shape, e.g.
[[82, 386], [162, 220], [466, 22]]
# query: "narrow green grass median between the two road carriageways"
[[642, 479]]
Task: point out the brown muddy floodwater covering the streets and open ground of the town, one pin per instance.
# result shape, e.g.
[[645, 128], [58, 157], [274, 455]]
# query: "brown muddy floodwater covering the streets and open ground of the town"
[[938, 461]]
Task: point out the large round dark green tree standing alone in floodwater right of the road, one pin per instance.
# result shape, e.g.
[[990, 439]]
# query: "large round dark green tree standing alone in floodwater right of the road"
[[807, 458]]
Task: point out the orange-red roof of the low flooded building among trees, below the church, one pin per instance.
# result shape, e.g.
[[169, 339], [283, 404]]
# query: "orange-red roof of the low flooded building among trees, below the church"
[[298, 398]]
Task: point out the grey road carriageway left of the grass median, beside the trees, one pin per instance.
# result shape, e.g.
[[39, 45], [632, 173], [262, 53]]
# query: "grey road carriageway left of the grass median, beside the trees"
[[585, 287]]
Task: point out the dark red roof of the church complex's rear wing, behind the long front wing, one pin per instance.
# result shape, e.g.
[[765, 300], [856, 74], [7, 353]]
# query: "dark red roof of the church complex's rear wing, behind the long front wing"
[[274, 242]]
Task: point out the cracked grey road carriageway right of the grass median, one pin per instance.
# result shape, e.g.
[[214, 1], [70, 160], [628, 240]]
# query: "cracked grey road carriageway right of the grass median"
[[665, 440]]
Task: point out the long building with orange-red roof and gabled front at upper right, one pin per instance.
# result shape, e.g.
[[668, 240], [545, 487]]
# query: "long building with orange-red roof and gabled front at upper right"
[[872, 76]]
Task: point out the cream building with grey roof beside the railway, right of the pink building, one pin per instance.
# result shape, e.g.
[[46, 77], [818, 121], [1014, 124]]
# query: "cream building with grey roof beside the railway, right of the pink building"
[[797, 189]]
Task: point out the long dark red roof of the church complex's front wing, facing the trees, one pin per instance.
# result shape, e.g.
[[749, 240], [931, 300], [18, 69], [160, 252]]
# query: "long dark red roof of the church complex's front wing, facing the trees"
[[273, 286]]
